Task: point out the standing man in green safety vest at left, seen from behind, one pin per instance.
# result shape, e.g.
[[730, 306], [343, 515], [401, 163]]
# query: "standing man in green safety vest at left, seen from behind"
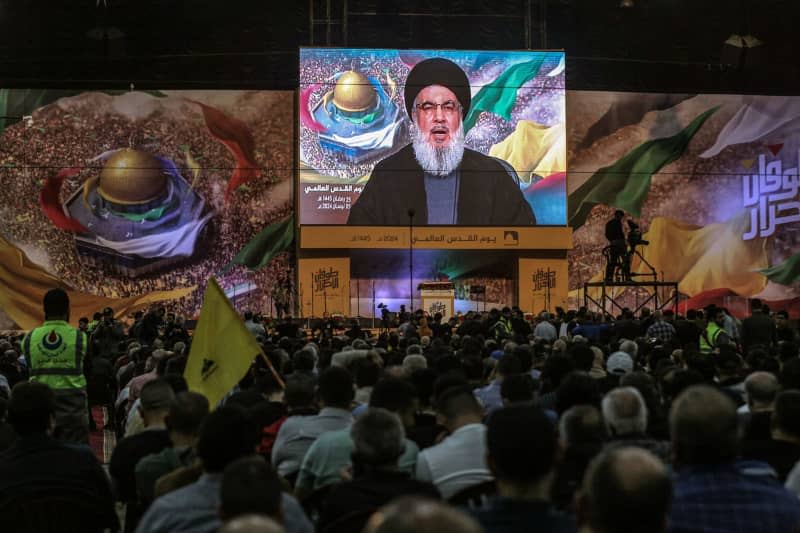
[[55, 352]]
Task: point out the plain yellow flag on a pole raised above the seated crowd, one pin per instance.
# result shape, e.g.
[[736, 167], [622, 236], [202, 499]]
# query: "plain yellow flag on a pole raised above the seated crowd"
[[222, 347]]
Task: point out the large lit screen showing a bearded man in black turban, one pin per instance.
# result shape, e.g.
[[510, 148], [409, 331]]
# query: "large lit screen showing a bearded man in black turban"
[[354, 114]]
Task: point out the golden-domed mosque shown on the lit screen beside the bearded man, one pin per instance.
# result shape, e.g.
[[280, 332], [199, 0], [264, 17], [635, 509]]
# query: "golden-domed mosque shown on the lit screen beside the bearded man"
[[358, 118]]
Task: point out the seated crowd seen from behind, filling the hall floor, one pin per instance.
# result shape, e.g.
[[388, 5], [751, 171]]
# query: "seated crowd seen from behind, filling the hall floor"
[[486, 423]]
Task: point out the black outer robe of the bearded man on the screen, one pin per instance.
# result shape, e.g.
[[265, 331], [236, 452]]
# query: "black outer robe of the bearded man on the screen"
[[489, 193]]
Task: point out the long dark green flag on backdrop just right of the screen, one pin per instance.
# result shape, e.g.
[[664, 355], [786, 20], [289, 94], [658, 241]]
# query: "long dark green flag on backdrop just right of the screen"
[[625, 184]]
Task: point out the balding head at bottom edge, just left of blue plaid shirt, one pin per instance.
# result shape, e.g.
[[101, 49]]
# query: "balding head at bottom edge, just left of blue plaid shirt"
[[625, 490]]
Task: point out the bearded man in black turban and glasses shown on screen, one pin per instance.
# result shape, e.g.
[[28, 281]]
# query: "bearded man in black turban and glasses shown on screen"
[[435, 180]]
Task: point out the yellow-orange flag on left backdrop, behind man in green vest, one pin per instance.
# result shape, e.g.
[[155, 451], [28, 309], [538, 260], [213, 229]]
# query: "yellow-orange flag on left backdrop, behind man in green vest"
[[23, 285]]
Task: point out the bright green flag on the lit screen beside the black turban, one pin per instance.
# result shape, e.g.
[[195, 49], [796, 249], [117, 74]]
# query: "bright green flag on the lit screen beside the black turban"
[[500, 96]]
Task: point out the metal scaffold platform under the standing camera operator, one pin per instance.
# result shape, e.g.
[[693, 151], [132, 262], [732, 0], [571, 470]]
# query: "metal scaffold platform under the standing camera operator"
[[663, 295]]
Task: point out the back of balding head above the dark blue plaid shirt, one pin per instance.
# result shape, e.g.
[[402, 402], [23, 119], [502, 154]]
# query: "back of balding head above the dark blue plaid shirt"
[[704, 427]]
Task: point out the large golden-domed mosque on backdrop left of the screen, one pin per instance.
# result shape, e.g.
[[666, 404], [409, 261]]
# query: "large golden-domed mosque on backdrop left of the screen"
[[140, 213]]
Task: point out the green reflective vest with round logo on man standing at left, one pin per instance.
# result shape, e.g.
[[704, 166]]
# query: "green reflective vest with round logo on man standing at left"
[[55, 352]]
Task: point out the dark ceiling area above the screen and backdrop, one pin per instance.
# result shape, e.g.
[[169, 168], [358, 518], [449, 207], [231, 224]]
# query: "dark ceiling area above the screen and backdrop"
[[656, 45]]
